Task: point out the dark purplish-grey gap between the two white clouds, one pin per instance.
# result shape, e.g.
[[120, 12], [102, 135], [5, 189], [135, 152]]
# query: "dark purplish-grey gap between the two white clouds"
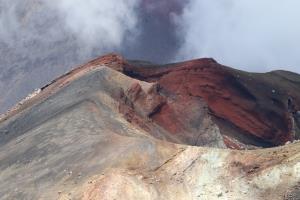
[[157, 40]]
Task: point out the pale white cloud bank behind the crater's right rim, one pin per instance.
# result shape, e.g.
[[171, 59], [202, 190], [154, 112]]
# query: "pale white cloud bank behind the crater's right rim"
[[251, 35]]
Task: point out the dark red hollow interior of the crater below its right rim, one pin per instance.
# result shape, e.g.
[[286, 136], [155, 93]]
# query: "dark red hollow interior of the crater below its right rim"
[[249, 109]]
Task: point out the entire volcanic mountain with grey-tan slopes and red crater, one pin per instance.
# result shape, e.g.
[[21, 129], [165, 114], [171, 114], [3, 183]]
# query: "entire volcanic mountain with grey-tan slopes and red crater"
[[117, 129]]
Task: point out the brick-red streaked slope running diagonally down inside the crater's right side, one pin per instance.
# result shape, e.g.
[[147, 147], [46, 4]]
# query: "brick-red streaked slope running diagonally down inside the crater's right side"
[[228, 99]]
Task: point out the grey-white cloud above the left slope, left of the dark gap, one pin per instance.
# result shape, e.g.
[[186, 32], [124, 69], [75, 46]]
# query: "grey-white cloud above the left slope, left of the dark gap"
[[41, 39]]
